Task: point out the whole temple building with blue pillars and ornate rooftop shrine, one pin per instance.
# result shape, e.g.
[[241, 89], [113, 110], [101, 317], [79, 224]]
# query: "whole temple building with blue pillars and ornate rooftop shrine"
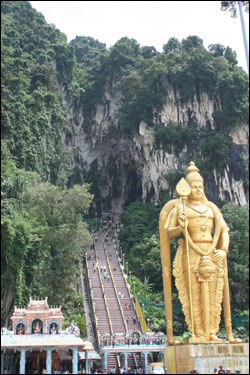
[[38, 342]]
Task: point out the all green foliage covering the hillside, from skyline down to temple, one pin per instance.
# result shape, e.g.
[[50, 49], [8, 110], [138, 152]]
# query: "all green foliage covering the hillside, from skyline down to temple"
[[47, 85]]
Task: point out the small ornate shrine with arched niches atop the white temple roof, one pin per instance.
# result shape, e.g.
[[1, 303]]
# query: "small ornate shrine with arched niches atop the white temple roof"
[[37, 318]]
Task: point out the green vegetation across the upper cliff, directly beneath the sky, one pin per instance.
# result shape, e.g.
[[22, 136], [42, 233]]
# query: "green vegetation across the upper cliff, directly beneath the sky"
[[42, 76]]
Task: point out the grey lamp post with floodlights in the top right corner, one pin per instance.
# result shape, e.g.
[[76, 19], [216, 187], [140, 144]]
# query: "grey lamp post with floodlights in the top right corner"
[[233, 13]]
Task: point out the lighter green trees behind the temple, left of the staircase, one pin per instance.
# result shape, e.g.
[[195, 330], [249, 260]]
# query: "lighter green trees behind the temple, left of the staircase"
[[43, 239]]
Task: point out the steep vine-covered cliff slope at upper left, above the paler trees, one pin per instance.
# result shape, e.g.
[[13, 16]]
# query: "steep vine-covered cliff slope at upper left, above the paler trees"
[[35, 61]]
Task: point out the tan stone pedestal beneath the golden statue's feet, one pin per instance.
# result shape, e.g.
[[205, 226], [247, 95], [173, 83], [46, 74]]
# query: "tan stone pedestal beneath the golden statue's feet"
[[205, 357]]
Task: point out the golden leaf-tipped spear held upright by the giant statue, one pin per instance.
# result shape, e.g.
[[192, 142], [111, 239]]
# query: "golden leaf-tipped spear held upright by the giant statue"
[[183, 190]]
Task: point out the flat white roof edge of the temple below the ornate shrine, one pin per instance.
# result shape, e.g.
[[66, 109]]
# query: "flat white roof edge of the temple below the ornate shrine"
[[41, 340]]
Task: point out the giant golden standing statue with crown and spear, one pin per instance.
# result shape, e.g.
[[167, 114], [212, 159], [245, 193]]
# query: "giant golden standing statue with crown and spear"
[[200, 264]]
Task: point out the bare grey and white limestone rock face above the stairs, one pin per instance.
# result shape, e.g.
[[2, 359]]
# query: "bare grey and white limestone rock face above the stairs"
[[123, 169]]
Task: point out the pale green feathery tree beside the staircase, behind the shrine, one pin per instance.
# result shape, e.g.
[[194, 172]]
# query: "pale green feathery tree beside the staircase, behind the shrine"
[[57, 220]]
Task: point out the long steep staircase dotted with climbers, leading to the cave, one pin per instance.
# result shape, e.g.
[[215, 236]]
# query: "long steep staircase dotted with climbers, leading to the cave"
[[111, 317]]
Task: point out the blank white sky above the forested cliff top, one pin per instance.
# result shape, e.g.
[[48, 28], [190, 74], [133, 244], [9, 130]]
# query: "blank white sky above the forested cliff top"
[[151, 23]]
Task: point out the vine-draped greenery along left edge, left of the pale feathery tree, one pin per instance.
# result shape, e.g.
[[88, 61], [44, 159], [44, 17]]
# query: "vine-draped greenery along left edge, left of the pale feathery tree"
[[16, 235]]
